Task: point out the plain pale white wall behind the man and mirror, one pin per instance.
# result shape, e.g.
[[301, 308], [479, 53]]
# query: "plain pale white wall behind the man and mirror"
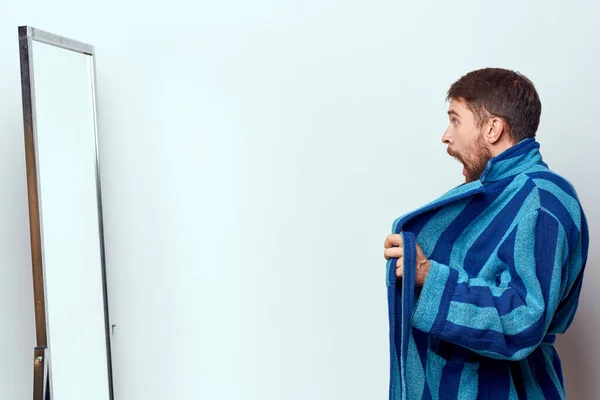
[[254, 157]]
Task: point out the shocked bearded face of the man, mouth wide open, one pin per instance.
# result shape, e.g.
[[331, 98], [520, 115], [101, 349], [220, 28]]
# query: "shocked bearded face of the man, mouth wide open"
[[466, 141]]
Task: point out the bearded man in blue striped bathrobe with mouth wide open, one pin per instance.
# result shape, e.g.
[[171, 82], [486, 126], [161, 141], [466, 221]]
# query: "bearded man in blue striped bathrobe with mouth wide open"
[[493, 269]]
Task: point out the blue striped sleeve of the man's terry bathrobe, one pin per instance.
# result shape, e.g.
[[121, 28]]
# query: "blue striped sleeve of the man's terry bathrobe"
[[504, 319]]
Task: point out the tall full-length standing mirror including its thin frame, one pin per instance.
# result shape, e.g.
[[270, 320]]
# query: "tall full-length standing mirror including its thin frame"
[[72, 358]]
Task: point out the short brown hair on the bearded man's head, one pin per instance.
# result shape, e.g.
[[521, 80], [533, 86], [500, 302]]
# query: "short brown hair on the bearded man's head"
[[496, 92]]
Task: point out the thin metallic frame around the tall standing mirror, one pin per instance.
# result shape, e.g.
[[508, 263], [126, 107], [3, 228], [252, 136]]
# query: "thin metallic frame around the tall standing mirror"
[[42, 389]]
